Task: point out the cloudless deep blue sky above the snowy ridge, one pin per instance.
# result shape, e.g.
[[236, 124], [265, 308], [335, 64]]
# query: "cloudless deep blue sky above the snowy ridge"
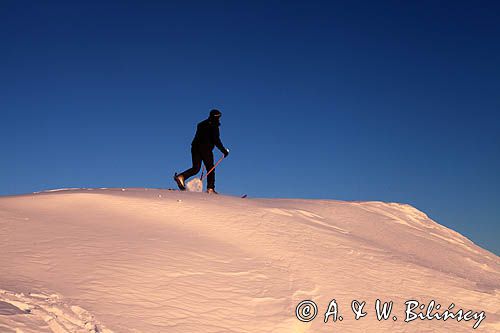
[[353, 100]]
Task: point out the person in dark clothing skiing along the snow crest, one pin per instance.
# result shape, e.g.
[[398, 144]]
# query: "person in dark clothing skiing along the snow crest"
[[206, 138]]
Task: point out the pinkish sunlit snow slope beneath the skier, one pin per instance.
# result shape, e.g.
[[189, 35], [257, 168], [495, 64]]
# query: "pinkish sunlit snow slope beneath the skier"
[[143, 260]]
